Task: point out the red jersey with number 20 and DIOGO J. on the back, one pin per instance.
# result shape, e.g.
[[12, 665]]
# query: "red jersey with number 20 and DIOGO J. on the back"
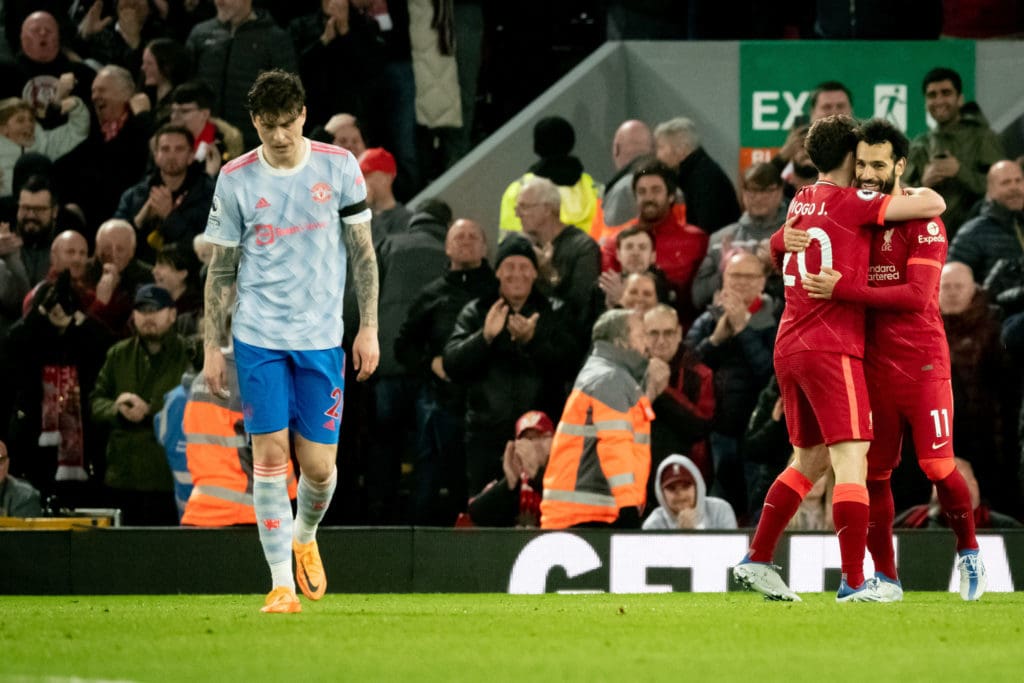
[[841, 223]]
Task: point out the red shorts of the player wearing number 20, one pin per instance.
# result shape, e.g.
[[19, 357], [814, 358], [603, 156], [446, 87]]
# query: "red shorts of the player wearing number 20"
[[825, 398]]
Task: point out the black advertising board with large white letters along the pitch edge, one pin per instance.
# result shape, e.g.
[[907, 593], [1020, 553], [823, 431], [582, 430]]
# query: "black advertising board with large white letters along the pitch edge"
[[135, 561]]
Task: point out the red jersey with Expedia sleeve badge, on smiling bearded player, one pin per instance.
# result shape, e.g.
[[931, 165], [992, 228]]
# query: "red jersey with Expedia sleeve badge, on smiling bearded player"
[[911, 345]]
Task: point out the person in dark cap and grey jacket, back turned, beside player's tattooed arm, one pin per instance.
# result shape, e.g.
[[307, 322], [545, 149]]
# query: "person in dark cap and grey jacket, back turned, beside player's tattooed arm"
[[408, 263]]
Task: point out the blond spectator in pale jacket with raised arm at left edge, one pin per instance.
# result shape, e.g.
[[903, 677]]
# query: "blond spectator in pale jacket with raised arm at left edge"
[[21, 134]]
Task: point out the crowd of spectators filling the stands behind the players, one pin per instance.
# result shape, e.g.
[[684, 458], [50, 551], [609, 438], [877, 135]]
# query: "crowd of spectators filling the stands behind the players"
[[116, 118]]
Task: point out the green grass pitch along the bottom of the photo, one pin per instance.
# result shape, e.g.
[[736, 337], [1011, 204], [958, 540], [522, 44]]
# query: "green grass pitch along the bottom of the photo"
[[622, 638]]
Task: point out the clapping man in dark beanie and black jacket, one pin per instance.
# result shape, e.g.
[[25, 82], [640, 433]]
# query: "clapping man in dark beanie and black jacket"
[[511, 355]]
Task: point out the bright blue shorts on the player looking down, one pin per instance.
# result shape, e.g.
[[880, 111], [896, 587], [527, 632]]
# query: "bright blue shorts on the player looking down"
[[297, 391]]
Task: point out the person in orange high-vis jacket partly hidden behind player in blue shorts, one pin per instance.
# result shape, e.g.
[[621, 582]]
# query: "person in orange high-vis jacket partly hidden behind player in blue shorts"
[[220, 456]]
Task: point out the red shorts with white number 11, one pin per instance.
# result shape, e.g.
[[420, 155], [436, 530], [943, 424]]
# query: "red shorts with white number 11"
[[927, 408]]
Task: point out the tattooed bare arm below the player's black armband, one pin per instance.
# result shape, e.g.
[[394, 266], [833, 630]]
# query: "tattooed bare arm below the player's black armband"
[[366, 349]]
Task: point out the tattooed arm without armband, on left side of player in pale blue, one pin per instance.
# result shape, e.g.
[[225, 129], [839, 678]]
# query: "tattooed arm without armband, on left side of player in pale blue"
[[220, 300]]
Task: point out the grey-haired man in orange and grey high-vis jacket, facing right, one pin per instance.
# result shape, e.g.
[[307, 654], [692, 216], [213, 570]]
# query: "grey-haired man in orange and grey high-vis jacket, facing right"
[[601, 458]]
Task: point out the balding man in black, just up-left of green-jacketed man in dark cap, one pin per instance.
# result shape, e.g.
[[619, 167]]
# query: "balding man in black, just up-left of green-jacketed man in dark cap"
[[115, 275]]
